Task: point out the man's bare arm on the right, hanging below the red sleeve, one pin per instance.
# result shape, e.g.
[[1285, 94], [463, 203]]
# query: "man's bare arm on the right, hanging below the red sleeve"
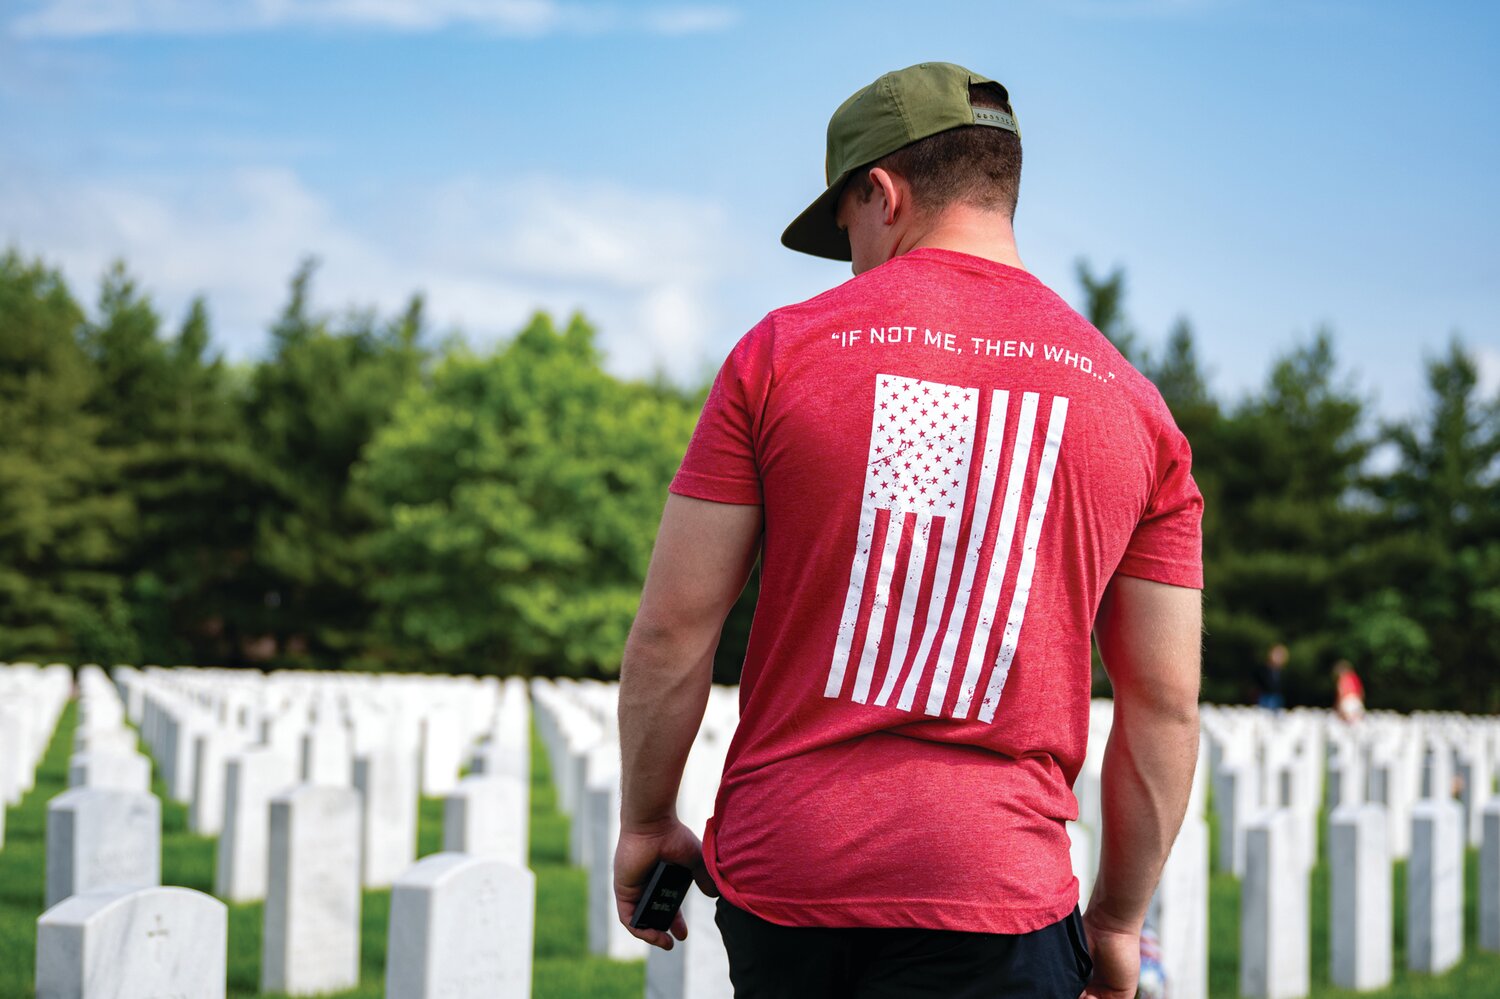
[[1150, 638]]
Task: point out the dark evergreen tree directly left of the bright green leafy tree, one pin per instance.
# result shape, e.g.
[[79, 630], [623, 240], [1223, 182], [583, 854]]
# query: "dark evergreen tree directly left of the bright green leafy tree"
[[313, 407]]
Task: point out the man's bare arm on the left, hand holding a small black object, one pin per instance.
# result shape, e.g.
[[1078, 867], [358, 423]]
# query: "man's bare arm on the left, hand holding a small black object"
[[703, 557]]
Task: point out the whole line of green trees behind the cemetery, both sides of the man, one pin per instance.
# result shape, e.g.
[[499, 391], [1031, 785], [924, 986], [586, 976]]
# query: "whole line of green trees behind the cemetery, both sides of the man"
[[371, 496]]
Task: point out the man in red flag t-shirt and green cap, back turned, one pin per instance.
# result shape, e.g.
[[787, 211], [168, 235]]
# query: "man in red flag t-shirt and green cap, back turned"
[[950, 479]]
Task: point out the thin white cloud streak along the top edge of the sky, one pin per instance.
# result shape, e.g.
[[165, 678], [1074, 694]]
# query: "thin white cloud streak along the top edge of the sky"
[[89, 19]]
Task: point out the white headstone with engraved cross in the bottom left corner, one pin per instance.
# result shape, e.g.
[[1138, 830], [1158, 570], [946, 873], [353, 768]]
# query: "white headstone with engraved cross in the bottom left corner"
[[133, 944]]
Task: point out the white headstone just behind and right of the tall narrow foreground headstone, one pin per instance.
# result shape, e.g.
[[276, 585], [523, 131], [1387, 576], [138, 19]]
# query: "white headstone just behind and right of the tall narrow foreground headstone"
[[386, 779]]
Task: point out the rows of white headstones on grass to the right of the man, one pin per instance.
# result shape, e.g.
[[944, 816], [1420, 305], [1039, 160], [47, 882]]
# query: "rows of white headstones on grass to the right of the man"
[[1393, 796]]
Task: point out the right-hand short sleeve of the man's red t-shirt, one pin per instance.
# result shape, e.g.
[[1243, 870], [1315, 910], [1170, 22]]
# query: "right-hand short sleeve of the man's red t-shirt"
[[1168, 545]]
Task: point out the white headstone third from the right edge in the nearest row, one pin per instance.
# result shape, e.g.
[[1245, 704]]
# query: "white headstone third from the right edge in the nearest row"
[[1360, 898]]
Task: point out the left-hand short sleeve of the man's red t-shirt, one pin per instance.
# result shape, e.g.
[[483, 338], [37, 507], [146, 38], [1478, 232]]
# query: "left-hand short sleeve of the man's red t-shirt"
[[722, 458]]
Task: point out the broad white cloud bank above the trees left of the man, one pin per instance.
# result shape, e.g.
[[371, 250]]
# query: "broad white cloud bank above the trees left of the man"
[[646, 268]]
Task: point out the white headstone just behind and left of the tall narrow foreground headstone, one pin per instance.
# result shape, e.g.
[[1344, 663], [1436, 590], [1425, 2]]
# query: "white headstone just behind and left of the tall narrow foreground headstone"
[[251, 779]]
